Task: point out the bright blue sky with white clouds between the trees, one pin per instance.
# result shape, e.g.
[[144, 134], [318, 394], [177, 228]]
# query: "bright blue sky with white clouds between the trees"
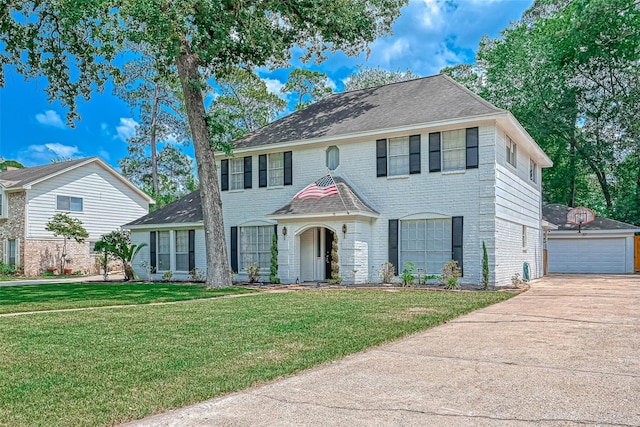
[[429, 35]]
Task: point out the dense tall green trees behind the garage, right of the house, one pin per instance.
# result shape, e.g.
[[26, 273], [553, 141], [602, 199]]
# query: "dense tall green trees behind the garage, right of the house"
[[568, 71]]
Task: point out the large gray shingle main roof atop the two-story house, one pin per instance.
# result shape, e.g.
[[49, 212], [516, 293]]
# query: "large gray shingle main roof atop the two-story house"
[[425, 100]]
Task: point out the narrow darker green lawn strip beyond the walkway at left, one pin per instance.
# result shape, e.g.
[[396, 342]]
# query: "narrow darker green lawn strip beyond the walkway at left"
[[58, 296]]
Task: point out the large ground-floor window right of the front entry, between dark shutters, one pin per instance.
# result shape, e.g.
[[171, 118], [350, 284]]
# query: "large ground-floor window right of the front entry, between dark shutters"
[[426, 243]]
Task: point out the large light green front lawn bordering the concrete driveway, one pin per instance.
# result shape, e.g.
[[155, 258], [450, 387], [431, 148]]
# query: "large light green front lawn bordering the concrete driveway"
[[99, 367]]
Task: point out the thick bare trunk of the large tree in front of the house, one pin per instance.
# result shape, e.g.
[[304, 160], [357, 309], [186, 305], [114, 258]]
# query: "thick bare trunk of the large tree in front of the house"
[[218, 273]]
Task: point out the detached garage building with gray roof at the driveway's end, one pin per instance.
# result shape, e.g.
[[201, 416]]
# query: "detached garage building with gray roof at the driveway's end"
[[601, 246]]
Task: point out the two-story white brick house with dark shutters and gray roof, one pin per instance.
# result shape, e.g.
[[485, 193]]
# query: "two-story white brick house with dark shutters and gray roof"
[[426, 171]]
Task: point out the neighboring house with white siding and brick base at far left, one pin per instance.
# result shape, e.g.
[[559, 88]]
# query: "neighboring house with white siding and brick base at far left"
[[87, 189]]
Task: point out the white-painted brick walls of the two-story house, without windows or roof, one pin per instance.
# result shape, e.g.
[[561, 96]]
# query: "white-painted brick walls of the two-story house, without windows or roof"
[[495, 201]]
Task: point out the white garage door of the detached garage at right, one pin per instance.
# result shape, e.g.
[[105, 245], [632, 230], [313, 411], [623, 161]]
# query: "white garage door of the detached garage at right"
[[586, 255]]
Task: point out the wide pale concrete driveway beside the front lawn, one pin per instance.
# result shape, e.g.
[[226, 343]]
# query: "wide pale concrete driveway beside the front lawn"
[[567, 352]]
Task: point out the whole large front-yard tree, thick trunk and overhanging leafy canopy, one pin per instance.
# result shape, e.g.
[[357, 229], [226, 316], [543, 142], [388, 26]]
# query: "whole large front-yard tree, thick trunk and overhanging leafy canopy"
[[78, 45]]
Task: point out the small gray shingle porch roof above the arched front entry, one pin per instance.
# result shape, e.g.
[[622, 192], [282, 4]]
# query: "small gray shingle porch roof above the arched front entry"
[[352, 203]]
